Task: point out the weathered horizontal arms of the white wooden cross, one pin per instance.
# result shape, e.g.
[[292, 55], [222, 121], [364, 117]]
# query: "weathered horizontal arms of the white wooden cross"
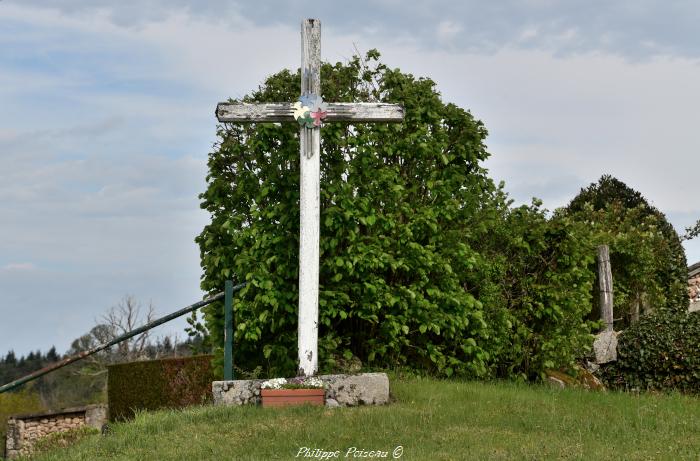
[[284, 112]]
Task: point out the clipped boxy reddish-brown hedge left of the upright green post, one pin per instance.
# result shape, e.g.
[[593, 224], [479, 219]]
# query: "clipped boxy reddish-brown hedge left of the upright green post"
[[153, 384]]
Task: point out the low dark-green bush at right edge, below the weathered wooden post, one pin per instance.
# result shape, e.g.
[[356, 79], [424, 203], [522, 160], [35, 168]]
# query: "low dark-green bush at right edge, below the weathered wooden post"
[[660, 352]]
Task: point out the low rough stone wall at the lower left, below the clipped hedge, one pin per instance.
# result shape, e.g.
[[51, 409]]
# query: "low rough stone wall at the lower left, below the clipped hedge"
[[24, 430]]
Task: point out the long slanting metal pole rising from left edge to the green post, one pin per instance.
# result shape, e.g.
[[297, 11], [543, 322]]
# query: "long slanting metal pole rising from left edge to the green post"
[[125, 336]]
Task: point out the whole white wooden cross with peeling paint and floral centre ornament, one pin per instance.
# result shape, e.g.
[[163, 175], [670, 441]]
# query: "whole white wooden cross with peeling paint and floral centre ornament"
[[310, 147]]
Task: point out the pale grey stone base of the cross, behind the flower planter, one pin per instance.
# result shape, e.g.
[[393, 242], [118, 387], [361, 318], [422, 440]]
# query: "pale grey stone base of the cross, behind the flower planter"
[[341, 390]]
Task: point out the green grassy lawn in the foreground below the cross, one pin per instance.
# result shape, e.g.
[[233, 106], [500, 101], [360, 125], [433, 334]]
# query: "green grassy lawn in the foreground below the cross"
[[430, 420]]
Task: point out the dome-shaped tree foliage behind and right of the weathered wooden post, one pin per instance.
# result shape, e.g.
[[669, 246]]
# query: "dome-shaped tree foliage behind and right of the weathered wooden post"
[[647, 258]]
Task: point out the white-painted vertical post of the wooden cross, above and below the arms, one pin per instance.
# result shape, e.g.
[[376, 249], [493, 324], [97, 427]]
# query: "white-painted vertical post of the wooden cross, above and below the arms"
[[309, 204]]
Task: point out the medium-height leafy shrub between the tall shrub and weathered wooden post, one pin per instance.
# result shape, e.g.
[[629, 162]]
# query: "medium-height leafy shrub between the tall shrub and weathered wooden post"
[[542, 269]]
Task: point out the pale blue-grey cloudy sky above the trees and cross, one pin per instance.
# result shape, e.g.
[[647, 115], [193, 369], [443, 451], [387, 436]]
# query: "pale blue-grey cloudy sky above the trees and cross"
[[106, 119]]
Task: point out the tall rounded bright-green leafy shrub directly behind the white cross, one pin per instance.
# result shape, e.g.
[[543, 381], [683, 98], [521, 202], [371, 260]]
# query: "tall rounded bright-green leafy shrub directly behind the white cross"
[[397, 203]]
